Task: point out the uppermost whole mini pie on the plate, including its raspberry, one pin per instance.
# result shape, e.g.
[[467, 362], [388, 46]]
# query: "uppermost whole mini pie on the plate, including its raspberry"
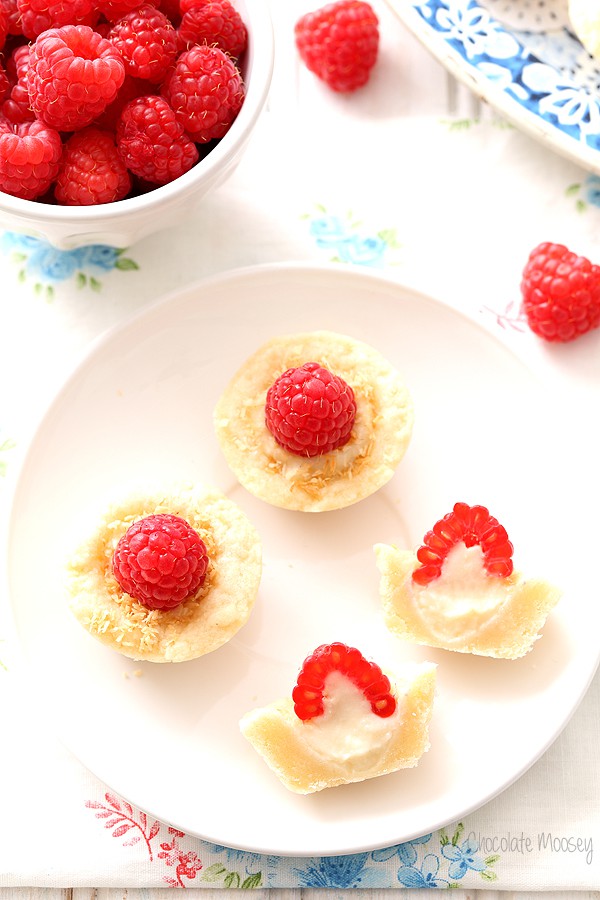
[[314, 421]]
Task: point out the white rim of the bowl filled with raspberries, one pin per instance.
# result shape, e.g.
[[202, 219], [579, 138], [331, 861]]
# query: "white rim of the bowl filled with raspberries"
[[260, 60]]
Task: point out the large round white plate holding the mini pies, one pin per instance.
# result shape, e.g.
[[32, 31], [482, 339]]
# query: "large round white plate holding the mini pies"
[[138, 411]]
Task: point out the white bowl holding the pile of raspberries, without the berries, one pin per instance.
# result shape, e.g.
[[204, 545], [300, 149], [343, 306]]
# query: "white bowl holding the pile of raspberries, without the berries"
[[124, 222]]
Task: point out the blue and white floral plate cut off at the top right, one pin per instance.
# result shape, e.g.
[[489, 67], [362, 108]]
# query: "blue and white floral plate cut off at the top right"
[[522, 57]]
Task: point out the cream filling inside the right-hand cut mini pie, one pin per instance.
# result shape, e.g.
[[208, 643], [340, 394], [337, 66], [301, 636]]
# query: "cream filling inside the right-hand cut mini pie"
[[463, 598]]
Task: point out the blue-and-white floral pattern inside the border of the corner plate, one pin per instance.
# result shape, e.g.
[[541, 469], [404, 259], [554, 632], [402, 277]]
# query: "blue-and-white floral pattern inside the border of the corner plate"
[[549, 76]]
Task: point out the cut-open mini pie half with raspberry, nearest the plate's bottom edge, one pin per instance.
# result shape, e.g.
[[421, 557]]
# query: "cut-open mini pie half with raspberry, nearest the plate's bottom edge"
[[360, 726]]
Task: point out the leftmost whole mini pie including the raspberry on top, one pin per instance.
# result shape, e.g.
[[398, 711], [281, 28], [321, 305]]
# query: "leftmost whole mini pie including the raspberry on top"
[[167, 577]]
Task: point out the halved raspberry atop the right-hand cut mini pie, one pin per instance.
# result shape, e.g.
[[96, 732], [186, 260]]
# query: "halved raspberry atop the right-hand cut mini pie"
[[472, 525]]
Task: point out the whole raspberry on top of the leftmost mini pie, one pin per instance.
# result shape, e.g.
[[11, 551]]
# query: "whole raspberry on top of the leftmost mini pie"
[[160, 561]]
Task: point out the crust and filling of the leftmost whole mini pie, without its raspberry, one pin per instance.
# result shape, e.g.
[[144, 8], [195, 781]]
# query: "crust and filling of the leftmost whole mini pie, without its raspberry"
[[203, 622]]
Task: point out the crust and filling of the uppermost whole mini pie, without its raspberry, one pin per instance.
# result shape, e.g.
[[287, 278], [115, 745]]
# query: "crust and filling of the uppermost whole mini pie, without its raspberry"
[[379, 438]]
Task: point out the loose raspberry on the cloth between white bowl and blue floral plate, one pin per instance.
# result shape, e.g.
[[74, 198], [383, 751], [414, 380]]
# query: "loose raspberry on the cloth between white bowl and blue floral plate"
[[339, 43]]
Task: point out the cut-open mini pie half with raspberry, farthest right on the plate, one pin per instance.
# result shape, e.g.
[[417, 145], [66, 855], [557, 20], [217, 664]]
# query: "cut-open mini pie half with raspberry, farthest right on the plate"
[[468, 599]]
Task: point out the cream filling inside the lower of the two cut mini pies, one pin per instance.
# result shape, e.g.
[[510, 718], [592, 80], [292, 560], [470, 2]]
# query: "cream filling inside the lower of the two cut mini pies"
[[348, 731]]
